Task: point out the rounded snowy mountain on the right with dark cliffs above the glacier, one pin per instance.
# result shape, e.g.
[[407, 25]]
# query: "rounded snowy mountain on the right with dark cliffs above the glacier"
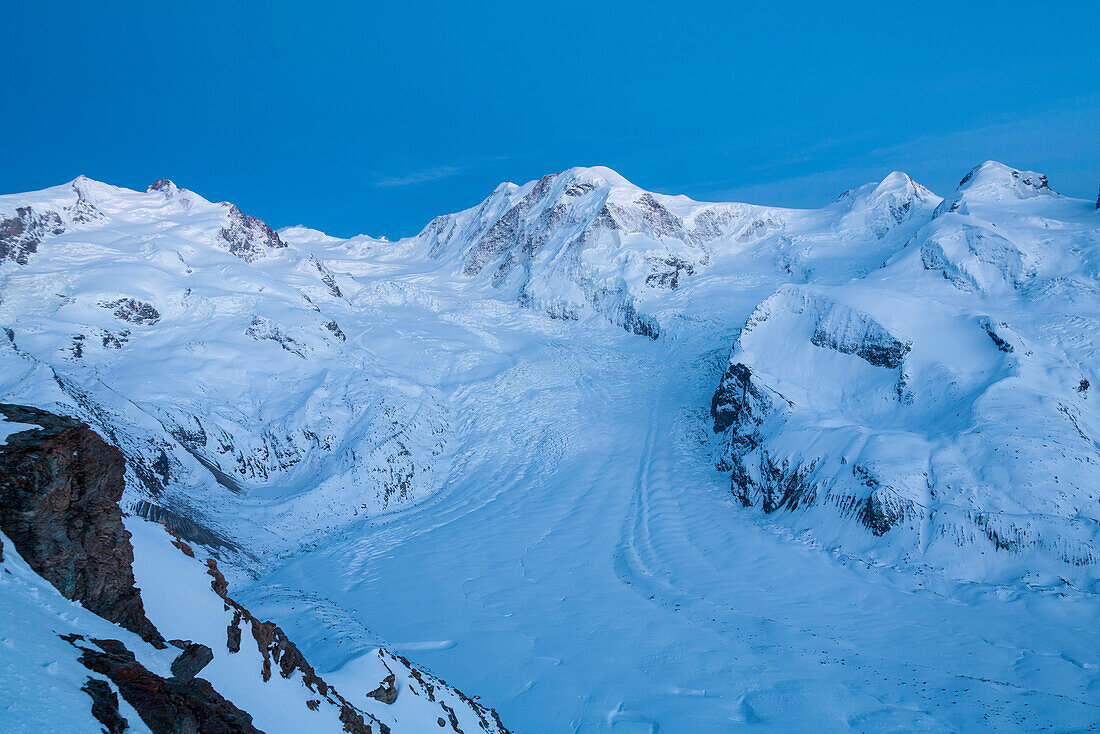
[[943, 402]]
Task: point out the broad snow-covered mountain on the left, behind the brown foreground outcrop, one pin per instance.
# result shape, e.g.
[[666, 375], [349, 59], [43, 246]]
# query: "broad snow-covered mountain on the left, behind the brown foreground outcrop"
[[194, 338]]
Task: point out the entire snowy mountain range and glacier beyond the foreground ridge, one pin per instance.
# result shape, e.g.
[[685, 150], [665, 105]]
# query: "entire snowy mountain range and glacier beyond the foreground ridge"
[[580, 385]]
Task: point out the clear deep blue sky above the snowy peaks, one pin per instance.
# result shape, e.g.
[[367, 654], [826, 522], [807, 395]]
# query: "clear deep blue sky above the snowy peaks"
[[361, 117]]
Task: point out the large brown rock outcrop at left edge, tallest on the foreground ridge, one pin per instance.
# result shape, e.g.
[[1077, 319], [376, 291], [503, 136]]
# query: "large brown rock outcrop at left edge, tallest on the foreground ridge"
[[60, 490]]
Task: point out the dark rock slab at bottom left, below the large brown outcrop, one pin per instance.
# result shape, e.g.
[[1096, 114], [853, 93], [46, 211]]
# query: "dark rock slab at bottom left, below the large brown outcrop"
[[168, 706]]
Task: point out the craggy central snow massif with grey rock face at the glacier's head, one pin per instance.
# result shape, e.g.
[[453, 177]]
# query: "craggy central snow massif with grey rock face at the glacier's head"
[[588, 240]]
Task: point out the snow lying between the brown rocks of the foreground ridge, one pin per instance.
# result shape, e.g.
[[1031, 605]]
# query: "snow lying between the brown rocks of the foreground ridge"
[[45, 682]]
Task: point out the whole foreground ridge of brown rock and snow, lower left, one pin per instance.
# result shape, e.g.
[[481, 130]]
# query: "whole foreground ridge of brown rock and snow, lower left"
[[60, 489]]
